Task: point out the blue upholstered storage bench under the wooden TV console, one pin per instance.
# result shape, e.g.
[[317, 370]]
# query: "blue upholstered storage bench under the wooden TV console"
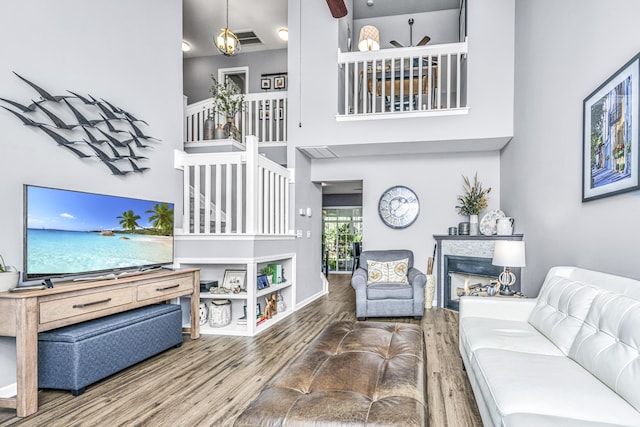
[[72, 357]]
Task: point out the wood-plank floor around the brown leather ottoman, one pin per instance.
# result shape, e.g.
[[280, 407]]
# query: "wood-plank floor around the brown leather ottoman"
[[208, 382]]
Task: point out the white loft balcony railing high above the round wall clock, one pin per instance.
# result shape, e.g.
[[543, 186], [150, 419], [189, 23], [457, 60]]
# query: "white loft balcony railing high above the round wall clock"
[[407, 81]]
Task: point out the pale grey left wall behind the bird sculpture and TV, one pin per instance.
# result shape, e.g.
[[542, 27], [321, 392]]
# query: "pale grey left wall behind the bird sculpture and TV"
[[128, 52]]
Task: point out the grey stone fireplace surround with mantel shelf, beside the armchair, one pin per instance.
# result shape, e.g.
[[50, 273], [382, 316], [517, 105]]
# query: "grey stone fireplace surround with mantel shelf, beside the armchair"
[[466, 254]]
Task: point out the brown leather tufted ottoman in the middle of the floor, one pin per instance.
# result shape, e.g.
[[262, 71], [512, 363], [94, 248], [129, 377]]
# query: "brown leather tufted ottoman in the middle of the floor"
[[356, 374]]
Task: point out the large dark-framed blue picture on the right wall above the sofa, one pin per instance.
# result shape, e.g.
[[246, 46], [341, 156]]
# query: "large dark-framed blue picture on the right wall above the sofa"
[[610, 135]]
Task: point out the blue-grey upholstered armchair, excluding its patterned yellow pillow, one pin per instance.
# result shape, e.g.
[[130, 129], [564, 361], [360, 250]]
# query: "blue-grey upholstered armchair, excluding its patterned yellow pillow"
[[388, 299]]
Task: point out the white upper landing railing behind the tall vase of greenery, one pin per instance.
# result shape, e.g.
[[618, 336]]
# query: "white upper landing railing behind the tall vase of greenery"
[[264, 115]]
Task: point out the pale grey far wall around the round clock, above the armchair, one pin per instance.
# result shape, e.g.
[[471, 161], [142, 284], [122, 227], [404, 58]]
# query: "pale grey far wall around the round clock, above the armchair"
[[436, 179]]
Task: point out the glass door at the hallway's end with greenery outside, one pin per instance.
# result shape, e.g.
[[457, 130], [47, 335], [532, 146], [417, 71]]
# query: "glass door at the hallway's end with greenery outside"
[[341, 228]]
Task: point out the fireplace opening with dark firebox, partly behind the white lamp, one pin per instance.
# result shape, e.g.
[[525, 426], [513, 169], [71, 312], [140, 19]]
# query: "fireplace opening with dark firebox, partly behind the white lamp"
[[460, 272]]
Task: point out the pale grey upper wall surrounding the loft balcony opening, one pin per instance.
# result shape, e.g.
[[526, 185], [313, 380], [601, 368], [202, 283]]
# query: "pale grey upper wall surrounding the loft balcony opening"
[[490, 82]]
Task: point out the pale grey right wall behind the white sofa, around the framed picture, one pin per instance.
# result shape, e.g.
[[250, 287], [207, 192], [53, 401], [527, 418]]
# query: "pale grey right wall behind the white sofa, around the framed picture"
[[564, 51]]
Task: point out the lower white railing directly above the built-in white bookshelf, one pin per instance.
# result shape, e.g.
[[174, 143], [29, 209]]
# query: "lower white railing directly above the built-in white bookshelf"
[[239, 193]]
